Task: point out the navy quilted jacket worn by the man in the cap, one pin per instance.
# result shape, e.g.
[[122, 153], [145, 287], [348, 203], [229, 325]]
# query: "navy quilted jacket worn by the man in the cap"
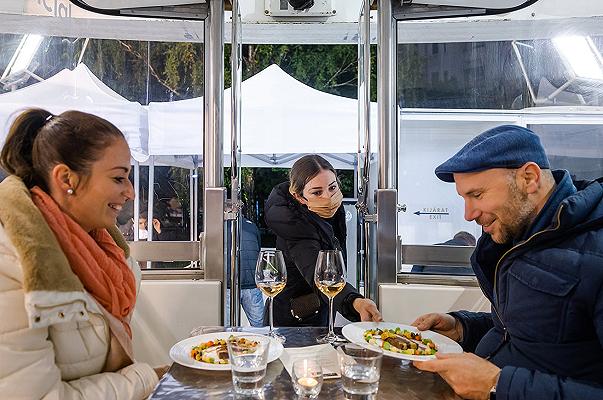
[[546, 326]]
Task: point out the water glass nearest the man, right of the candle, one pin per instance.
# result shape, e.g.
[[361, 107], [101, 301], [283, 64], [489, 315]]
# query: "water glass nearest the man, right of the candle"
[[360, 370]]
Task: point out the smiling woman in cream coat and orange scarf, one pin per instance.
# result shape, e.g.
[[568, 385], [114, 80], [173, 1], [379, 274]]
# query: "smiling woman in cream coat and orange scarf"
[[67, 284]]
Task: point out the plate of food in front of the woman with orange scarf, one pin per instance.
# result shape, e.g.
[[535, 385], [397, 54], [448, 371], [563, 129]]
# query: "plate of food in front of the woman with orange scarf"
[[209, 351]]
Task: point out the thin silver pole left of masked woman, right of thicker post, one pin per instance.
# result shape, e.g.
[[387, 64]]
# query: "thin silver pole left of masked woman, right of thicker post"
[[235, 165]]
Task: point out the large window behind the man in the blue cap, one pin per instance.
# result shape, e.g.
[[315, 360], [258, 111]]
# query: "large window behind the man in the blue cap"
[[451, 92]]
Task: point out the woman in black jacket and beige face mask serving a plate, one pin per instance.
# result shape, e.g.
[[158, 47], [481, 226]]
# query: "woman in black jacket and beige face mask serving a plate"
[[307, 215]]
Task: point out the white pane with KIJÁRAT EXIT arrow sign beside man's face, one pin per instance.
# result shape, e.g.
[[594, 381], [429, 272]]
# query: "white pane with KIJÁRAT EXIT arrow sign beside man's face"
[[434, 211]]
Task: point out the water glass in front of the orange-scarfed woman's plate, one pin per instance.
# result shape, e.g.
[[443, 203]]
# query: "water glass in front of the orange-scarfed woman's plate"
[[248, 364]]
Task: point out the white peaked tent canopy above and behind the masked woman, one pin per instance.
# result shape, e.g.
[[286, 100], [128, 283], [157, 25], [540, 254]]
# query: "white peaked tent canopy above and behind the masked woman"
[[281, 118]]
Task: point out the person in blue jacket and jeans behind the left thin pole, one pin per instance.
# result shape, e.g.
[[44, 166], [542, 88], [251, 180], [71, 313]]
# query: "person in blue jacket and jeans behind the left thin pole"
[[251, 297]]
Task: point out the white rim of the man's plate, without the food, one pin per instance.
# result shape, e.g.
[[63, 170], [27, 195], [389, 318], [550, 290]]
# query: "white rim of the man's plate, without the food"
[[355, 334]]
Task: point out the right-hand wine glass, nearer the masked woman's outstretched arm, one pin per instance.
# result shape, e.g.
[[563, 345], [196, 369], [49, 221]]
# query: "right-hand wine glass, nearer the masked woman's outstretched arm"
[[329, 277]]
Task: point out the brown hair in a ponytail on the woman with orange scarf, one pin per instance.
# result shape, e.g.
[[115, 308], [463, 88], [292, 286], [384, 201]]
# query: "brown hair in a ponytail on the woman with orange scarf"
[[37, 141]]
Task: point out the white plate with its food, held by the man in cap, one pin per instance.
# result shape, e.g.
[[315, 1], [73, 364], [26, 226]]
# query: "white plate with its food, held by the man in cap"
[[399, 340]]
